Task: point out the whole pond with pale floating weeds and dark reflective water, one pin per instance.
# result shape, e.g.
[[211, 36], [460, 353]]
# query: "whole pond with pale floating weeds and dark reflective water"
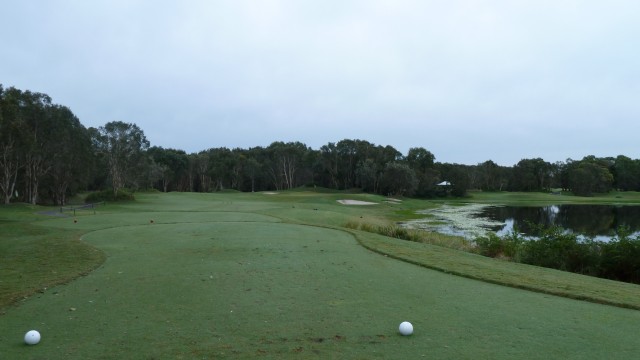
[[597, 221]]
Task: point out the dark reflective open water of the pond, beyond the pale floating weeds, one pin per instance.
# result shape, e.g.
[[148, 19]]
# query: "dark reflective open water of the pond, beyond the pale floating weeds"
[[598, 221]]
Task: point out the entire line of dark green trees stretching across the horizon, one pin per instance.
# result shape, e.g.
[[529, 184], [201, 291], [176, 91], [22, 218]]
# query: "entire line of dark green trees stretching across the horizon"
[[47, 155]]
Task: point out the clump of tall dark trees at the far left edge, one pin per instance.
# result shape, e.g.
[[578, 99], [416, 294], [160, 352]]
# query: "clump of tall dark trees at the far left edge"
[[43, 148]]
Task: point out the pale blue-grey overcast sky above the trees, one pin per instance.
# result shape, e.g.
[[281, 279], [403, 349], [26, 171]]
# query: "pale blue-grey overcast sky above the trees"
[[469, 81]]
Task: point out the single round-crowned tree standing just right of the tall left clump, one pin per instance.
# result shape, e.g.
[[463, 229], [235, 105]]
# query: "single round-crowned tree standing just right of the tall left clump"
[[124, 147]]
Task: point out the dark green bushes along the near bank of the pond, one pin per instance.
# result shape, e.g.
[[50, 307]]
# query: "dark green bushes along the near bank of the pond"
[[617, 259]]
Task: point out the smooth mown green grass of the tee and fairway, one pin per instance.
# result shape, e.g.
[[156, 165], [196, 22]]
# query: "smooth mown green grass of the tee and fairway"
[[215, 276]]
